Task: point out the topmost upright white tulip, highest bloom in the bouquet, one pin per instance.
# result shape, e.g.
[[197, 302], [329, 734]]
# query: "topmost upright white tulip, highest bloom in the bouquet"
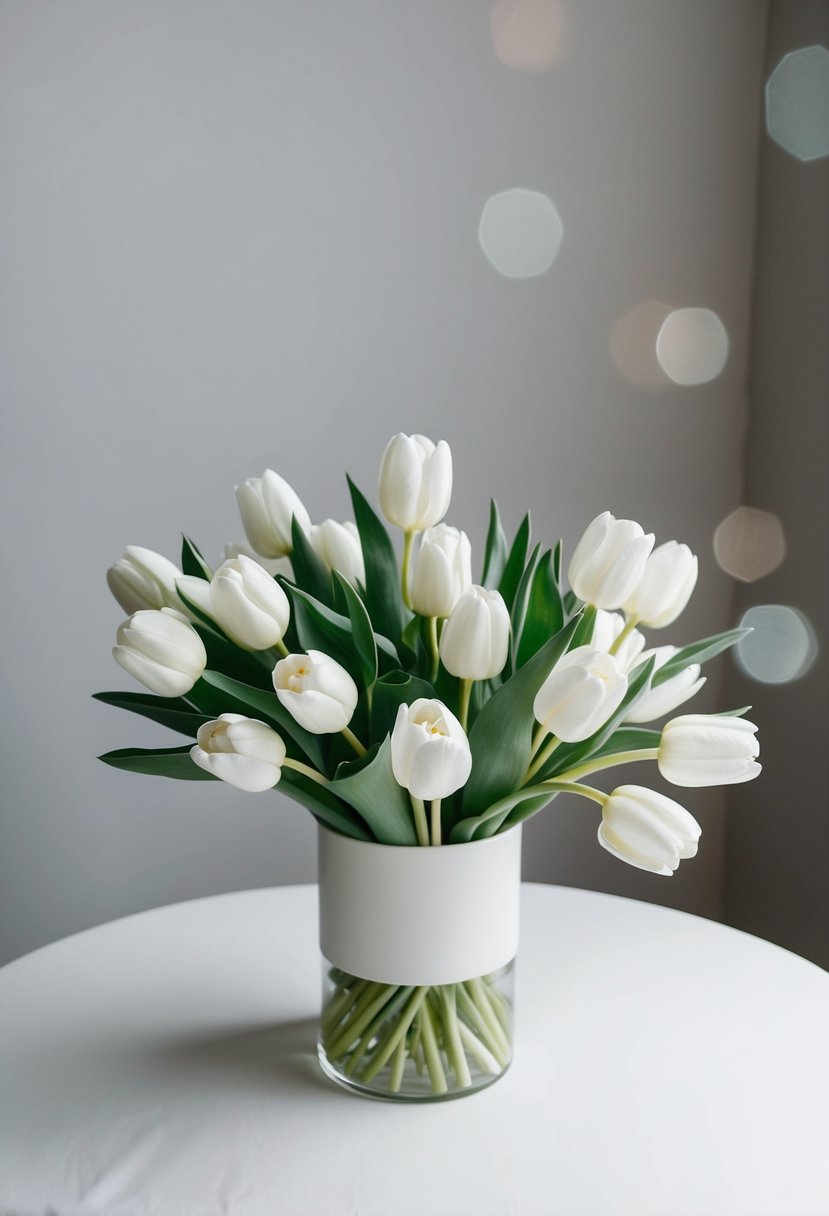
[[416, 482]]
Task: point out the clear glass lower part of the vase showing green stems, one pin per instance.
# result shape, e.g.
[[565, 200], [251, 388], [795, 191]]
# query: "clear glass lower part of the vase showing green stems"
[[416, 1043]]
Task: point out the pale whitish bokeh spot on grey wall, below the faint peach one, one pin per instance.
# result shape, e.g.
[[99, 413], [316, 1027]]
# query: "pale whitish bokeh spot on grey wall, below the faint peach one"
[[521, 233]]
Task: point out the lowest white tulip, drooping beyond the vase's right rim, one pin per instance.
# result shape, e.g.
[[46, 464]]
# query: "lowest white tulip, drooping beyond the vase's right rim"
[[647, 830]]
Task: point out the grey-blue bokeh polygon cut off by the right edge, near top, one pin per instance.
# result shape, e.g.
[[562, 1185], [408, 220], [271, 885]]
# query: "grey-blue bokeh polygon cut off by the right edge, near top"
[[798, 104]]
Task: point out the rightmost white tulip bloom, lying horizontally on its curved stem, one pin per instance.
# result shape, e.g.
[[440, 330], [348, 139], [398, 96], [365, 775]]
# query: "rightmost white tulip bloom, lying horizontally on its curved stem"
[[703, 750]]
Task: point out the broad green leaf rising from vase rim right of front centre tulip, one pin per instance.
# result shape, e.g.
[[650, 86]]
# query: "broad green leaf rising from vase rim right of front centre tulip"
[[501, 739]]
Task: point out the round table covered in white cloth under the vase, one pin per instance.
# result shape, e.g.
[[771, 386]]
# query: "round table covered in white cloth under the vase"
[[166, 1065]]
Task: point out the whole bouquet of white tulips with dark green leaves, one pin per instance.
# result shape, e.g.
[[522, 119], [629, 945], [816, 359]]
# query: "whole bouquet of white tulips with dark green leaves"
[[404, 705]]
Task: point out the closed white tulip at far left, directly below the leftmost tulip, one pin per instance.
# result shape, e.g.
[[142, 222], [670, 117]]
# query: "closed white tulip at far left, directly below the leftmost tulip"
[[162, 651]]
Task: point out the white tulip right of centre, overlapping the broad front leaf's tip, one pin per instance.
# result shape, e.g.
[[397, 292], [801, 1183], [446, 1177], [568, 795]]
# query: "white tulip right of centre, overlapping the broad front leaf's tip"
[[583, 691]]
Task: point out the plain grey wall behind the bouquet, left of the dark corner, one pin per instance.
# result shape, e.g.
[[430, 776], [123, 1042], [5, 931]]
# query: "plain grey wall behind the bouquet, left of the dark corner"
[[275, 234]]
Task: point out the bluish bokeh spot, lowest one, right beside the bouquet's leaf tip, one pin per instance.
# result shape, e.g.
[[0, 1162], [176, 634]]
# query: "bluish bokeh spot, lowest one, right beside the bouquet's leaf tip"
[[782, 646]]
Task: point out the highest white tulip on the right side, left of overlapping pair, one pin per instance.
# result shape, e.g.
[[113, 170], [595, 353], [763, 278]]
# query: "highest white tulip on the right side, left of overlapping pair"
[[610, 561]]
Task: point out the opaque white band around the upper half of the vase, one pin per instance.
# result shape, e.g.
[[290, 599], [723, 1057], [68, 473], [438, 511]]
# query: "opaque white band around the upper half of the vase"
[[420, 915]]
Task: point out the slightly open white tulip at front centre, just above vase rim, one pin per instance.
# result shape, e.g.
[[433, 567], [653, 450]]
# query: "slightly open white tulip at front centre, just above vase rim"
[[431, 756]]
